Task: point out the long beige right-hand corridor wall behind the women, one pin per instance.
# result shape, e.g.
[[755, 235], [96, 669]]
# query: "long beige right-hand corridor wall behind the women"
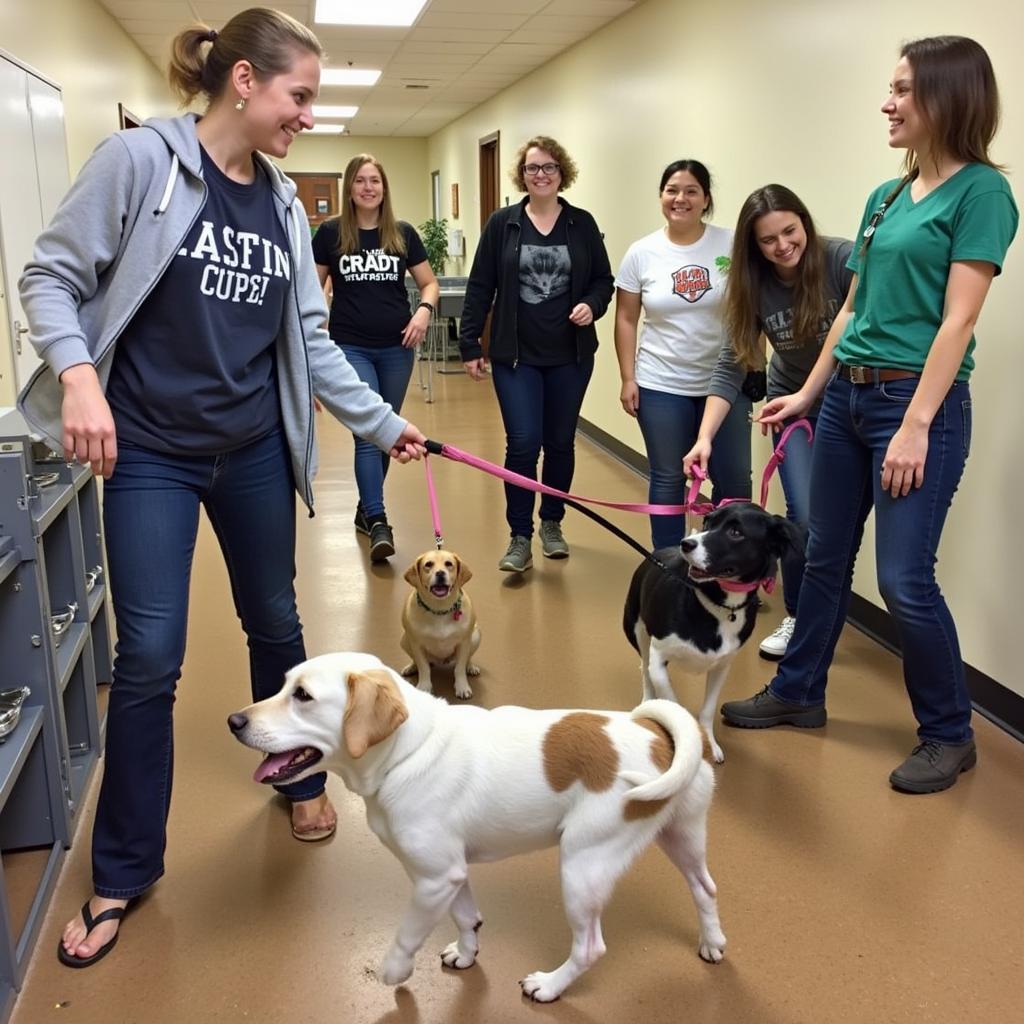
[[783, 93]]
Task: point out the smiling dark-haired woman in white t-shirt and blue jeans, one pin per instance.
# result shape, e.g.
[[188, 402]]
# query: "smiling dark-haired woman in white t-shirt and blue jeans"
[[677, 277]]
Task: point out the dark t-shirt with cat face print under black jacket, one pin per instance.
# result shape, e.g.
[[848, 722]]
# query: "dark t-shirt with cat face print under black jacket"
[[547, 337]]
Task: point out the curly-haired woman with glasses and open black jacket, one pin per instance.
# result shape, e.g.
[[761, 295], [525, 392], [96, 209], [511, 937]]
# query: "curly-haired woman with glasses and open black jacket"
[[543, 267]]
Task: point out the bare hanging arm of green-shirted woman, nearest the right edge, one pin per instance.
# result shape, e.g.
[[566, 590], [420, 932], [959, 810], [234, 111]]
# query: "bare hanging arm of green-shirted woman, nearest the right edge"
[[967, 288]]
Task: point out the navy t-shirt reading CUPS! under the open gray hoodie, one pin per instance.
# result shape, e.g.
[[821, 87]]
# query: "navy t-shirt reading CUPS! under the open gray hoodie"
[[194, 372]]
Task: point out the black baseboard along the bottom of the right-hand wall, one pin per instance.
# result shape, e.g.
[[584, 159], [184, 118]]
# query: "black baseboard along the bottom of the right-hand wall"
[[999, 704]]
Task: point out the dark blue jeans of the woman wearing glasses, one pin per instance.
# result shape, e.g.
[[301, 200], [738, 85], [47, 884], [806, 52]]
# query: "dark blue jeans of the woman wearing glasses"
[[540, 409]]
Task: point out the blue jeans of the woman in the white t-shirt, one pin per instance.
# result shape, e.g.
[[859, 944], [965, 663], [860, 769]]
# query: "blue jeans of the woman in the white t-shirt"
[[669, 424]]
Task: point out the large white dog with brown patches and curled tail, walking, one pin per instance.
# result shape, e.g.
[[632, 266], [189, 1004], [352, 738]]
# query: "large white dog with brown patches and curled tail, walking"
[[603, 786]]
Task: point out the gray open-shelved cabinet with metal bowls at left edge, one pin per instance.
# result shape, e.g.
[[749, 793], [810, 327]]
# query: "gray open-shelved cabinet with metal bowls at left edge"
[[55, 638]]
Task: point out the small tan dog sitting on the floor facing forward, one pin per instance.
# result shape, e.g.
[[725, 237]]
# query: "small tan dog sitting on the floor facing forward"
[[439, 622]]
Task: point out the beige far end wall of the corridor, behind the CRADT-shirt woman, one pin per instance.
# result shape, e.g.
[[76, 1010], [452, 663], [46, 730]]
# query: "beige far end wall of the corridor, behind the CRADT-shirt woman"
[[404, 160]]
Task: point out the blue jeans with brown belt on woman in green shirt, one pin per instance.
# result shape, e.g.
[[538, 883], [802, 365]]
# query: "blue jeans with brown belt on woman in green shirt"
[[856, 425]]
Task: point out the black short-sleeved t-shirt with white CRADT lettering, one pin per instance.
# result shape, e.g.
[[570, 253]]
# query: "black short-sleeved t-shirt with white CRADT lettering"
[[370, 306]]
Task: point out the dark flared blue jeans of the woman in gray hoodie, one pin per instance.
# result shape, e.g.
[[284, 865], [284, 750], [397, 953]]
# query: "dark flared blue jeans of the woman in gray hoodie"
[[151, 517]]
